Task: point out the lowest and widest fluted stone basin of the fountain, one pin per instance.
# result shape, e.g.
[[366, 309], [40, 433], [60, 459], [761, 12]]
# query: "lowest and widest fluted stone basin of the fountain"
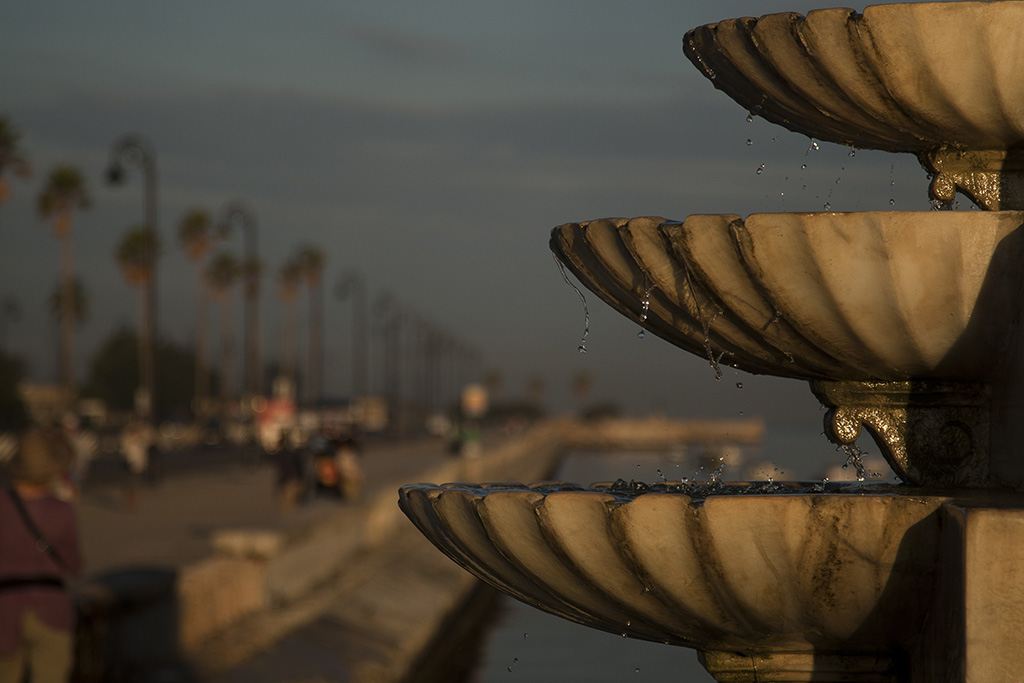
[[731, 573]]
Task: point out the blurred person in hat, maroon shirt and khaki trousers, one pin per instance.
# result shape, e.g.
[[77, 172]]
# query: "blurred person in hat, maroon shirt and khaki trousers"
[[39, 553]]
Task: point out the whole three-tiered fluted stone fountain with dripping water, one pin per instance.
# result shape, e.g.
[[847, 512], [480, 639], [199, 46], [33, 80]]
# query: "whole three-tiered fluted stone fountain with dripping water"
[[908, 324]]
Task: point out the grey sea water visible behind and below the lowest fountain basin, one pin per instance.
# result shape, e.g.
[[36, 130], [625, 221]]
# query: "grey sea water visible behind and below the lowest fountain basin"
[[523, 644]]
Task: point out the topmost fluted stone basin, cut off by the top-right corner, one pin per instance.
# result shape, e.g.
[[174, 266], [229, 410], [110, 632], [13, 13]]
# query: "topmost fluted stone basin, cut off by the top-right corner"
[[911, 77]]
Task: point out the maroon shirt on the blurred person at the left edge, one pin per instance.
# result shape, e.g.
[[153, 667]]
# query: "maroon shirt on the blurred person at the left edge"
[[22, 559]]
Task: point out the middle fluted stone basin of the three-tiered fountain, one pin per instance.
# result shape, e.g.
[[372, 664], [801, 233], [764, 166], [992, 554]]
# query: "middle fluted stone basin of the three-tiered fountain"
[[888, 296]]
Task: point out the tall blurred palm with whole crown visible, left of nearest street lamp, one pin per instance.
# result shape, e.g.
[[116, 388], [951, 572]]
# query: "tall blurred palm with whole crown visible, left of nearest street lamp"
[[65, 192]]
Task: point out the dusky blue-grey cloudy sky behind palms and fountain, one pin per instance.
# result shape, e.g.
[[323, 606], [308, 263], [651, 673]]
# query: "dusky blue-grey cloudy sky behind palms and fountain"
[[429, 148]]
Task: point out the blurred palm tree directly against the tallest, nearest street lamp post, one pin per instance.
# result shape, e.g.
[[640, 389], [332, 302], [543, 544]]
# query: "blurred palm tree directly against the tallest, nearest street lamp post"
[[137, 255]]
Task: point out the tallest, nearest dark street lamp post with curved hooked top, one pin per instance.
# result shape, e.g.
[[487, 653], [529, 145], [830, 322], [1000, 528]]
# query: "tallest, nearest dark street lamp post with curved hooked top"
[[135, 151]]
